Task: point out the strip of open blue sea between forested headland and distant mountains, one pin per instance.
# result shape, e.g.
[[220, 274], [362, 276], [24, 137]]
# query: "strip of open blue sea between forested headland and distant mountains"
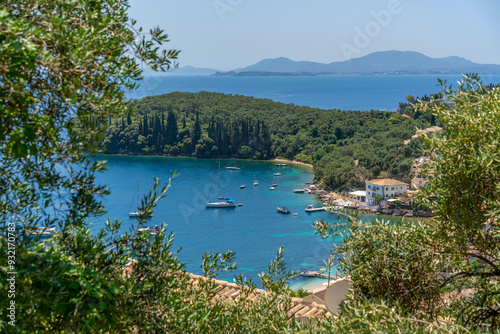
[[355, 92]]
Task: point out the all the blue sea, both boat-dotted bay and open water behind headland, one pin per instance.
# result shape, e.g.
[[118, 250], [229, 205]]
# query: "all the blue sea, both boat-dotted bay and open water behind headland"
[[254, 230]]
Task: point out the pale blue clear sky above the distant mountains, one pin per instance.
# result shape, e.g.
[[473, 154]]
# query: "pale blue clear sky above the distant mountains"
[[230, 34]]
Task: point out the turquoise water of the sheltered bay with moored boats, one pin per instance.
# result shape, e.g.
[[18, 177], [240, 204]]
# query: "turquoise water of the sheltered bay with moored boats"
[[255, 231]]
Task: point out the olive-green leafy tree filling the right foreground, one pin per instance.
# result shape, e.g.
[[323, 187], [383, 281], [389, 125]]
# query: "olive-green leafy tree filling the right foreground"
[[446, 268]]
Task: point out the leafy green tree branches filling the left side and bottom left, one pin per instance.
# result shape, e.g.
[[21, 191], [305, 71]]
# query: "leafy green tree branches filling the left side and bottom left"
[[64, 67]]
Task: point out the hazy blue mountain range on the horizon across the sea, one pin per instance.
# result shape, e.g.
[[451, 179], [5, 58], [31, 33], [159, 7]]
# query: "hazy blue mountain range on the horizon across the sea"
[[377, 63]]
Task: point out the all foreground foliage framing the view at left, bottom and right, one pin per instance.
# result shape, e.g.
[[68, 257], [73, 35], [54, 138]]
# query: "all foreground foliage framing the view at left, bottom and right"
[[63, 67]]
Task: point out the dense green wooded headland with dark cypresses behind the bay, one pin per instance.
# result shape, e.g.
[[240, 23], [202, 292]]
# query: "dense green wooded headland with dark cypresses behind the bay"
[[345, 147]]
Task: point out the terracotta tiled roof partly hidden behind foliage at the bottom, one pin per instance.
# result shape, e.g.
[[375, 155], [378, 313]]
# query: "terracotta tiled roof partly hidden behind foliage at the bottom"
[[299, 308]]
